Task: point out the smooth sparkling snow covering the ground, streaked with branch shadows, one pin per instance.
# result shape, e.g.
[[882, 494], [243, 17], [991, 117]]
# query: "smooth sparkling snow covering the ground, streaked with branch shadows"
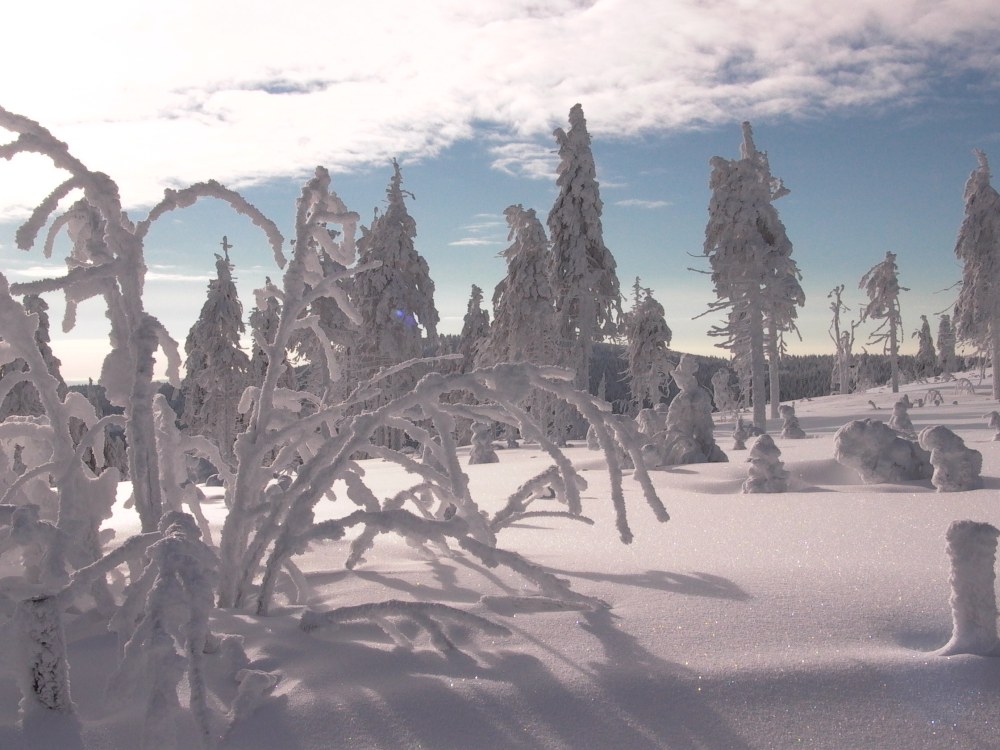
[[803, 619]]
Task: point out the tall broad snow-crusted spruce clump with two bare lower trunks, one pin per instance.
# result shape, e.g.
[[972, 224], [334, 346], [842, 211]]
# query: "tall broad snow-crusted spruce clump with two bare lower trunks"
[[754, 276]]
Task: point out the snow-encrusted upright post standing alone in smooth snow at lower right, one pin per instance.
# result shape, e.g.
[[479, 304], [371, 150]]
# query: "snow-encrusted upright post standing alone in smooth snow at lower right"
[[972, 548]]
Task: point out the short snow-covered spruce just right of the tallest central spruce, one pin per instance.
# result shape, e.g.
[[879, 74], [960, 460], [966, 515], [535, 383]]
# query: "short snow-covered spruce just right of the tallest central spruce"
[[648, 338]]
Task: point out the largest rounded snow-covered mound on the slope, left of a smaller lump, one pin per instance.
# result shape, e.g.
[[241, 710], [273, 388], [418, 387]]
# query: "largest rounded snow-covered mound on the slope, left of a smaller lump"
[[879, 454]]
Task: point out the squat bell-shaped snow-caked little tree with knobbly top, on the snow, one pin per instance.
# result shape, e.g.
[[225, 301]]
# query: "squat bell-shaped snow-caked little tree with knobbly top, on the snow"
[[689, 435]]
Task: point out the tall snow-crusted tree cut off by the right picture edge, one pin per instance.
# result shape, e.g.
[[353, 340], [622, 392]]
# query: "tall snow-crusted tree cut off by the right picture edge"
[[977, 311]]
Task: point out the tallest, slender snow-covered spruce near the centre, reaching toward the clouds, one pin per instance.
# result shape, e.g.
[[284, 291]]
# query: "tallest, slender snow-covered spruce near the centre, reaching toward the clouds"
[[584, 279]]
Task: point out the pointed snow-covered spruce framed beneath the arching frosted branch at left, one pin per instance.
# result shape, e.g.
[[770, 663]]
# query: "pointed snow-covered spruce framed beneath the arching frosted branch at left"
[[216, 369]]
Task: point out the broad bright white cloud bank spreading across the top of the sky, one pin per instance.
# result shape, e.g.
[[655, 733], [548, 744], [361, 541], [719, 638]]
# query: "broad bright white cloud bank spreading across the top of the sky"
[[247, 91]]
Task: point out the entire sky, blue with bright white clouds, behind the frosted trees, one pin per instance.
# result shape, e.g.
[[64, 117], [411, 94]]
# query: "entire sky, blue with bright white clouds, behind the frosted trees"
[[869, 114]]
